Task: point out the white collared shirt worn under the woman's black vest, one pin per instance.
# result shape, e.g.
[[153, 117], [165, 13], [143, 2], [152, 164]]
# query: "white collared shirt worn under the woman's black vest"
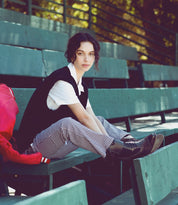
[[63, 93]]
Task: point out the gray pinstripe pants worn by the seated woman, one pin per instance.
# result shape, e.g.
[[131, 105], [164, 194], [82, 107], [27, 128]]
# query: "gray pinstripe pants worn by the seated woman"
[[67, 134]]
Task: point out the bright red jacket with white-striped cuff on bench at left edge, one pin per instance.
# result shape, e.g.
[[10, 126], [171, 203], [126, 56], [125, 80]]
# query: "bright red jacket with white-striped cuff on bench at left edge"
[[8, 112]]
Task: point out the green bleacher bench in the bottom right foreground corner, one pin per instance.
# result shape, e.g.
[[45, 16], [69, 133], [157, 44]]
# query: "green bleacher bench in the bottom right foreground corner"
[[154, 179]]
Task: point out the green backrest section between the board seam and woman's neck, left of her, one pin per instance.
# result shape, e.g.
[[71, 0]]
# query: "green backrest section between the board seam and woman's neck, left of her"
[[53, 60]]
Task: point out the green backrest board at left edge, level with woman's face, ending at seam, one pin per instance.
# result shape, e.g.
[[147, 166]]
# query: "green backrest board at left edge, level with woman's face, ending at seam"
[[20, 61]]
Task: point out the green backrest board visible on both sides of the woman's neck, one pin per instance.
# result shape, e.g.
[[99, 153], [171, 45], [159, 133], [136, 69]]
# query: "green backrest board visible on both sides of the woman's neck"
[[108, 67]]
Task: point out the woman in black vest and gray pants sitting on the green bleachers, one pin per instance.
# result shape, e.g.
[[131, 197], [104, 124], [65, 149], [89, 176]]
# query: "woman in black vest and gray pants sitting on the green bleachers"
[[59, 117]]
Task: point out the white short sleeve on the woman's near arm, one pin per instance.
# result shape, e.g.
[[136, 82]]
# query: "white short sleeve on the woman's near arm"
[[62, 93]]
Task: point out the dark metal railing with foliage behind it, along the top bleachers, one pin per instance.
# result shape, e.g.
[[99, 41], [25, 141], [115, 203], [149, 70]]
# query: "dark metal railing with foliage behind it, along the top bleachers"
[[156, 45]]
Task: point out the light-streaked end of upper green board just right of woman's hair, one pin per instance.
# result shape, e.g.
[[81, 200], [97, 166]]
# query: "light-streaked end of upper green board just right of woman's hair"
[[118, 51]]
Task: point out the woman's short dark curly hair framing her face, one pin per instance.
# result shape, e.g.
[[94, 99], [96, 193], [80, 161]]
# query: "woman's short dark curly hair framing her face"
[[74, 44]]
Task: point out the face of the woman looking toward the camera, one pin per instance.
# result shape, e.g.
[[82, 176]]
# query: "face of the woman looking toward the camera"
[[85, 57]]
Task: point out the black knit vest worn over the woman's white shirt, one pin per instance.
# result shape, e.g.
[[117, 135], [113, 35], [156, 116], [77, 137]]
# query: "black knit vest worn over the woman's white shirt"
[[38, 116]]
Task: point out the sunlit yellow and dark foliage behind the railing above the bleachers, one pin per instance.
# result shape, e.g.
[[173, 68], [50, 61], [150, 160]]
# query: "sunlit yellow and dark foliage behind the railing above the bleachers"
[[115, 21]]
